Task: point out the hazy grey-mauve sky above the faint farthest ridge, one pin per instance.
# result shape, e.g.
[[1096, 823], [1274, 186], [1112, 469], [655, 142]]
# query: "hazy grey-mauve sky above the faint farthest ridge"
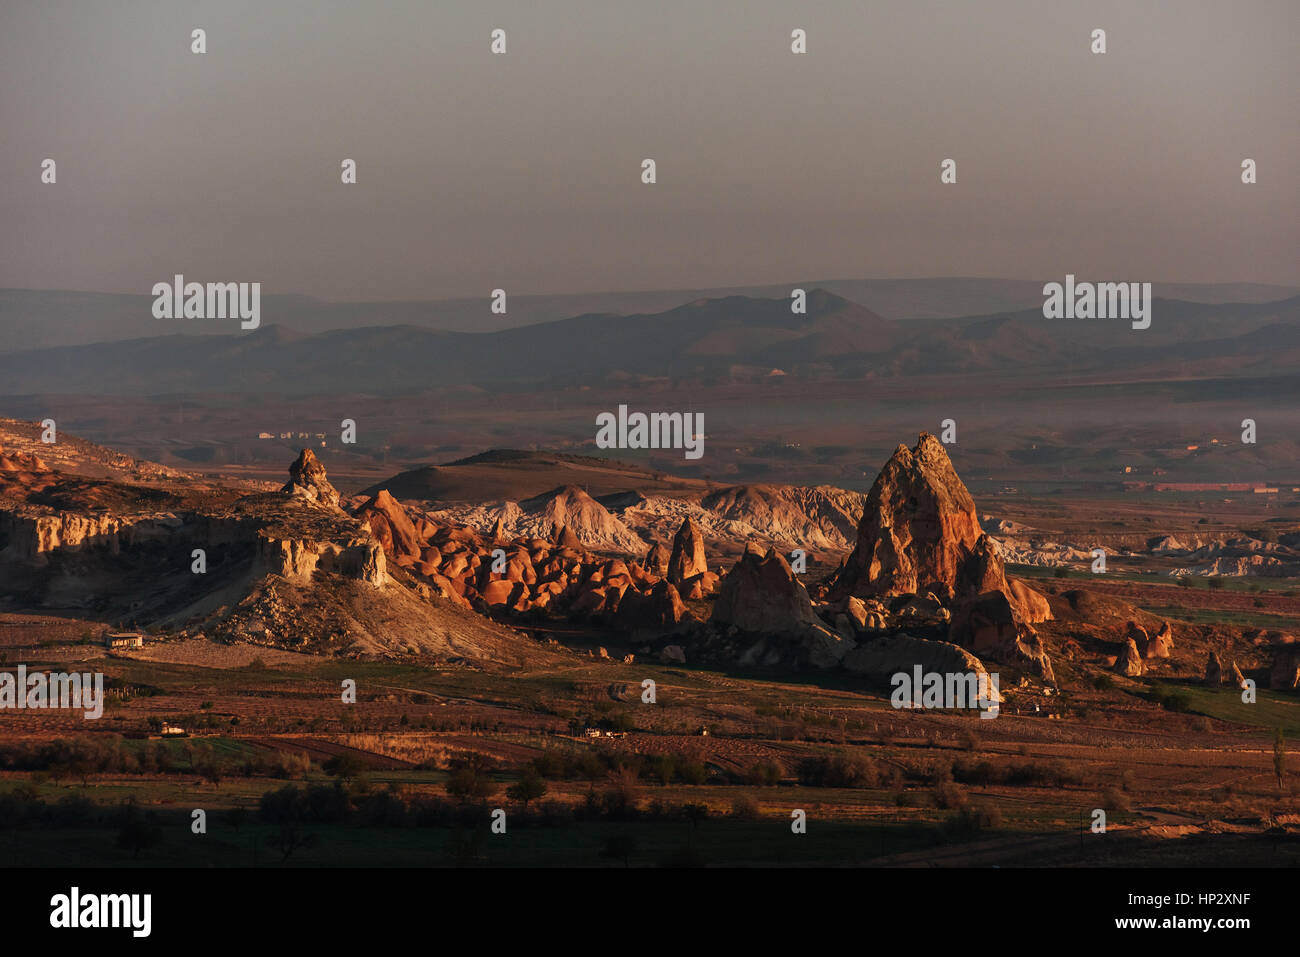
[[523, 171]]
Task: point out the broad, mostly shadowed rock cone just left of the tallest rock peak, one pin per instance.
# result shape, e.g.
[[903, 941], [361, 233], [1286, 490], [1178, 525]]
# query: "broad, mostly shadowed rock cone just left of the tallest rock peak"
[[762, 595]]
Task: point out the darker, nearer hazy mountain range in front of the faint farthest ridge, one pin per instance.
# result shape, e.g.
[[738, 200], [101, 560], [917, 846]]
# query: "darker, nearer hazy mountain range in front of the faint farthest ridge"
[[707, 341]]
